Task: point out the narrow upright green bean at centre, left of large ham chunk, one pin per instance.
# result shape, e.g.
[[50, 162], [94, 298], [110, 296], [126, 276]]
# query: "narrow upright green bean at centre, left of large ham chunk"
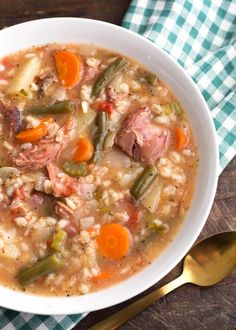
[[100, 136]]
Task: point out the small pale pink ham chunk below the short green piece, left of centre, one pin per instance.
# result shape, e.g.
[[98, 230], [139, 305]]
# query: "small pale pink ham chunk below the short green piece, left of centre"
[[63, 185]]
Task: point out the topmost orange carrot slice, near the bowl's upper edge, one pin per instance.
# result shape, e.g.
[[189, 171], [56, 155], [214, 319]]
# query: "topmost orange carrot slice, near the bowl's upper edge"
[[68, 67]]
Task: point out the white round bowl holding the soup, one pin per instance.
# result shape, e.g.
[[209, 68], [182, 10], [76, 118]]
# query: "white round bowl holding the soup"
[[77, 30]]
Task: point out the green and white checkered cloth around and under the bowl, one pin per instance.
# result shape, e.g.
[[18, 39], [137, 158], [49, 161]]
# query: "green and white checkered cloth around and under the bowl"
[[201, 36]]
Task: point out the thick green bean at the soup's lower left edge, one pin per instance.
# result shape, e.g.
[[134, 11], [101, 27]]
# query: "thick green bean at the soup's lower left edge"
[[40, 268]]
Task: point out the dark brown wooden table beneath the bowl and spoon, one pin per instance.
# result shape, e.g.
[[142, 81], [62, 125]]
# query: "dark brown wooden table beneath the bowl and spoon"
[[188, 307]]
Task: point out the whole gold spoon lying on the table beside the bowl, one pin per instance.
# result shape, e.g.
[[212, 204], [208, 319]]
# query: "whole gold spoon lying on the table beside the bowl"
[[207, 263]]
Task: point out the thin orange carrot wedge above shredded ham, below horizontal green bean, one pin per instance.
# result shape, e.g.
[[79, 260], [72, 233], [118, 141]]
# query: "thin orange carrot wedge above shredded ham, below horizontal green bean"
[[34, 134]]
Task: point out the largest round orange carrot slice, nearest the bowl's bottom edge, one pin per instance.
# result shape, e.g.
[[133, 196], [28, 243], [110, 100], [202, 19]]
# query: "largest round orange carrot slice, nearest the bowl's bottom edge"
[[114, 241]]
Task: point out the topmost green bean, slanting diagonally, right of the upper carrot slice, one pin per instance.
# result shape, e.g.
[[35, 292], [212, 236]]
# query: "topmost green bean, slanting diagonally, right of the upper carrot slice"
[[108, 74]]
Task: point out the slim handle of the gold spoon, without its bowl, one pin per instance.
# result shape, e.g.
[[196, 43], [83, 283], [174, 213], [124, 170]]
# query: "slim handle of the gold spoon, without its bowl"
[[120, 317]]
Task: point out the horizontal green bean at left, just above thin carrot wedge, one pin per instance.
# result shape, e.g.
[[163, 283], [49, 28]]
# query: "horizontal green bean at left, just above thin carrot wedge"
[[56, 108]]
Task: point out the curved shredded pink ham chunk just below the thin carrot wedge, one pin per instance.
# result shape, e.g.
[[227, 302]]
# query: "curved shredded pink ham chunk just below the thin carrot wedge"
[[45, 150]]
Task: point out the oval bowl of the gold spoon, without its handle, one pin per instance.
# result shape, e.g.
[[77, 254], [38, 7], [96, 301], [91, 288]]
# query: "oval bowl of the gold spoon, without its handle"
[[211, 260]]
